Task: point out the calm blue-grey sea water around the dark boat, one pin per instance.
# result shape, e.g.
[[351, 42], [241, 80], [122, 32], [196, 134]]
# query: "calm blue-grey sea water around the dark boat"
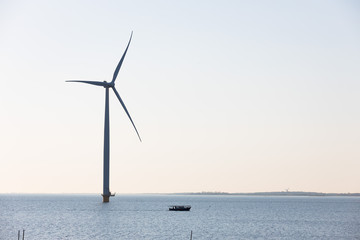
[[147, 217]]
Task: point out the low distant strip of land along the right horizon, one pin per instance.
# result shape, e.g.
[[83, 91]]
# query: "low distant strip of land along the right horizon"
[[284, 193]]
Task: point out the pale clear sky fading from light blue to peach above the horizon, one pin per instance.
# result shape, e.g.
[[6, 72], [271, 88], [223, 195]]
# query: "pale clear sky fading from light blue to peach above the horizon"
[[230, 96]]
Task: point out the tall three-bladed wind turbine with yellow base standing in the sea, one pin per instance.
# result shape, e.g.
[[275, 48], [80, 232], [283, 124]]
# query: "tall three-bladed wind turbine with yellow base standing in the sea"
[[106, 189]]
